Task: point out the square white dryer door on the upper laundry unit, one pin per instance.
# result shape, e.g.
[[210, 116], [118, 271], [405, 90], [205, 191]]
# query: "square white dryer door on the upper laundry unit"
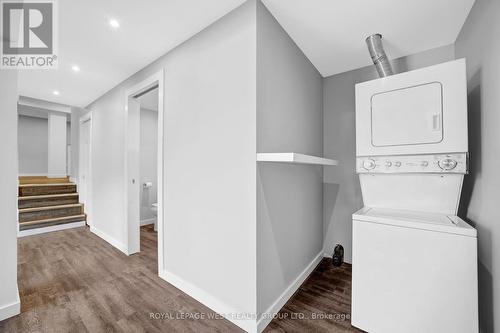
[[408, 116]]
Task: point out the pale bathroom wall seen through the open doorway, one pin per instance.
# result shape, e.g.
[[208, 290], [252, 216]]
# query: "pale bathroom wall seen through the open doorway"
[[148, 163]]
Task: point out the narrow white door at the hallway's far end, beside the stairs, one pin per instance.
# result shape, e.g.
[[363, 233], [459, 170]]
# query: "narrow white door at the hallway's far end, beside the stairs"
[[84, 167]]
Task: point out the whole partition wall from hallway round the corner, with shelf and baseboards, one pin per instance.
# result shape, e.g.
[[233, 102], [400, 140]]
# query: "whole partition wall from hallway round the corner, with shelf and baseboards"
[[241, 228]]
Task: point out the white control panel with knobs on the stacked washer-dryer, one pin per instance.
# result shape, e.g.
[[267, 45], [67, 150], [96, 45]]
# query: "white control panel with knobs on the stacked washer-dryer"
[[435, 163]]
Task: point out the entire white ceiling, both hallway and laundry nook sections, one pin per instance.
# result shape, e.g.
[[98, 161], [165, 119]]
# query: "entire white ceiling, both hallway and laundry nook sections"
[[331, 33]]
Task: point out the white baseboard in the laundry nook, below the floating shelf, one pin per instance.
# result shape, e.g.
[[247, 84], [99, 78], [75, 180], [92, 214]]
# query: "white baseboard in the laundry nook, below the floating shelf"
[[287, 294]]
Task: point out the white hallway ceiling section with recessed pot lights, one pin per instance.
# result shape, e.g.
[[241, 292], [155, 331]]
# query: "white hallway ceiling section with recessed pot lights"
[[148, 29]]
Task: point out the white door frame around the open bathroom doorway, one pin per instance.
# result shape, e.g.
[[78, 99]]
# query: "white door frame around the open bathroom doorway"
[[133, 232]]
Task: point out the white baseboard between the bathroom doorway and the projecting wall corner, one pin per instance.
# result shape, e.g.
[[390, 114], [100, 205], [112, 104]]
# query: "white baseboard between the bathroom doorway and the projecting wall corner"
[[210, 301]]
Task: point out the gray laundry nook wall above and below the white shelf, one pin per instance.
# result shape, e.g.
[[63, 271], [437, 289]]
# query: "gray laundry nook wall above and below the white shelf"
[[289, 197]]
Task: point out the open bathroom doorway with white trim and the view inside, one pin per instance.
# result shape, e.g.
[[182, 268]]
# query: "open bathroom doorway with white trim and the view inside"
[[140, 192]]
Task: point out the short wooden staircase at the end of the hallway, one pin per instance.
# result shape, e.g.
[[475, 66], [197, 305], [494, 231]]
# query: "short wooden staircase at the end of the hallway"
[[47, 202]]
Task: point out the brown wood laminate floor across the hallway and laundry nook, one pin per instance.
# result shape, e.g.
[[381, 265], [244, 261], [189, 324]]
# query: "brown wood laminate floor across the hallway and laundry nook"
[[72, 281]]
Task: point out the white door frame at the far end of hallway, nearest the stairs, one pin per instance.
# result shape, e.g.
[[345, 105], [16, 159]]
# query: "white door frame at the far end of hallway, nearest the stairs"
[[88, 181]]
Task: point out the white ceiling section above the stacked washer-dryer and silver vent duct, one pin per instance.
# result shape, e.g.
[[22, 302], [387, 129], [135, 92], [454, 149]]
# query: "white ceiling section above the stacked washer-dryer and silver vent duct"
[[332, 33]]
